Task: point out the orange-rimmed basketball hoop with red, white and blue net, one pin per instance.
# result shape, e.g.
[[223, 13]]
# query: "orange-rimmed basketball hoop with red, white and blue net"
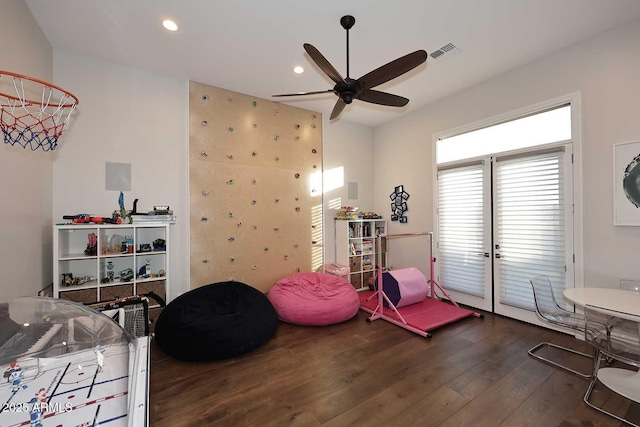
[[31, 122]]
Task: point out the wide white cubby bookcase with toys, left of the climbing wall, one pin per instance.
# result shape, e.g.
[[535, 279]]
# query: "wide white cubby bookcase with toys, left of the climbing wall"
[[115, 269]]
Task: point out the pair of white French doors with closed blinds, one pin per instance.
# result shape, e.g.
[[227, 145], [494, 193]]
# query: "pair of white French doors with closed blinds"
[[503, 220]]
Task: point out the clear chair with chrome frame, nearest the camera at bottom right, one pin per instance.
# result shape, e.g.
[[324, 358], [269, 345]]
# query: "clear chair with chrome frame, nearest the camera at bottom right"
[[621, 342]]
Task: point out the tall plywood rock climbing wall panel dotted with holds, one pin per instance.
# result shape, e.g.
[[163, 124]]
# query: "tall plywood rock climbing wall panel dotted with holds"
[[255, 188]]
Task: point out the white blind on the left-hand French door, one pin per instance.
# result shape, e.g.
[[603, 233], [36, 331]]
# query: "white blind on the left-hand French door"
[[461, 229]]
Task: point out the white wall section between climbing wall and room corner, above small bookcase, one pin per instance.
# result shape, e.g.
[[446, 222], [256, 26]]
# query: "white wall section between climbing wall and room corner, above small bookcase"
[[348, 146]]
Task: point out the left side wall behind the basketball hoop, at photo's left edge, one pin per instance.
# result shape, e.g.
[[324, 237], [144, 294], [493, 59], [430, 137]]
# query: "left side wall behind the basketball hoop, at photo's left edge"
[[25, 175]]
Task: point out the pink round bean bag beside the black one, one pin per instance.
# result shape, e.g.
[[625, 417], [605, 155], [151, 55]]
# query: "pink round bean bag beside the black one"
[[314, 299]]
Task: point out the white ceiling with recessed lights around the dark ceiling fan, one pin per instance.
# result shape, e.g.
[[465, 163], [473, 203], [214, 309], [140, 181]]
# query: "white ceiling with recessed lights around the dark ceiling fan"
[[251, 46]]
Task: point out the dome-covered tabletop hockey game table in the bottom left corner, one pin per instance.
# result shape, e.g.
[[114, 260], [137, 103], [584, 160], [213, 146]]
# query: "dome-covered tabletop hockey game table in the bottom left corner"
[[65, 364]]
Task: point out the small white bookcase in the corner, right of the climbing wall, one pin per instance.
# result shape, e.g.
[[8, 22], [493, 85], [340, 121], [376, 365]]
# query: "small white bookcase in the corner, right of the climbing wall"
[[356, 246]]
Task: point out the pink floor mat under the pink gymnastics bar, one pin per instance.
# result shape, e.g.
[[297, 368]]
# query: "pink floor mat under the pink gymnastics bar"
[[421, 317]]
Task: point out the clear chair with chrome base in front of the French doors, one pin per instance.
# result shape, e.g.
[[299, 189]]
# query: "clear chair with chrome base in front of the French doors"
[[548, 309]]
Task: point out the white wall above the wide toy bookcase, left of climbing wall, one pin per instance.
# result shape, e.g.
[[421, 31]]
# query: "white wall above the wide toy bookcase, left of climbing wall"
[[125, 115]]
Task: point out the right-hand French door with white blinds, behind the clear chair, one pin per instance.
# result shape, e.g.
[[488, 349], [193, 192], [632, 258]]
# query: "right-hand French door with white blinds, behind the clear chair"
[[532, 227]]
